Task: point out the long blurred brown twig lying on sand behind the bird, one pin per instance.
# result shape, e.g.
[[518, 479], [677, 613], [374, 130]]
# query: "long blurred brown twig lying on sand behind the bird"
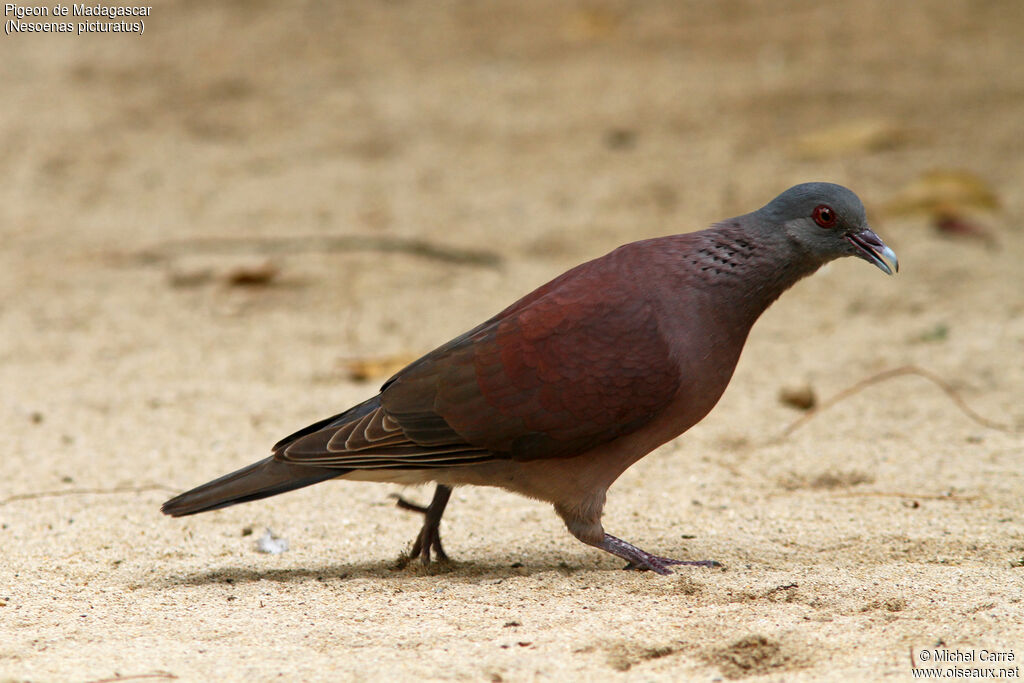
[[316, 243]]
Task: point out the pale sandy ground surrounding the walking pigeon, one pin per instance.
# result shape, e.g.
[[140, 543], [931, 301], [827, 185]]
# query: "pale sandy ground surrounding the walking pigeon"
[[131, 369]]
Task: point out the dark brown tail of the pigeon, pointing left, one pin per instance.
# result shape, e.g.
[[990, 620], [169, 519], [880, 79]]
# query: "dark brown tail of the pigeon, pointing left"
[[268, 478]]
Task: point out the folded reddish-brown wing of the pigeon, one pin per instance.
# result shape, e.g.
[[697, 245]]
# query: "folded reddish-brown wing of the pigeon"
[[578, 363]]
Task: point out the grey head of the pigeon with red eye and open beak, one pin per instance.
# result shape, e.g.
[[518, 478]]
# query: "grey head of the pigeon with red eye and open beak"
[[829, 222]]
